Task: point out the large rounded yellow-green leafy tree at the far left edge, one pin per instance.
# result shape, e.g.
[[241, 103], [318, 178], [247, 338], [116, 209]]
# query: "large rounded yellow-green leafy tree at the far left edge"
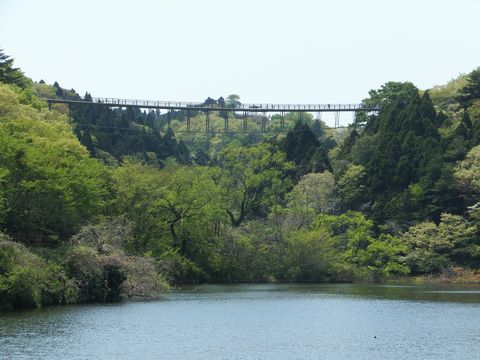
[[51, 185]]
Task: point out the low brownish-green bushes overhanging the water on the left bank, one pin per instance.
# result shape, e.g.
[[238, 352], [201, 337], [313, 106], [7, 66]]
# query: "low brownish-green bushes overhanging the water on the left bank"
[[84, 275]]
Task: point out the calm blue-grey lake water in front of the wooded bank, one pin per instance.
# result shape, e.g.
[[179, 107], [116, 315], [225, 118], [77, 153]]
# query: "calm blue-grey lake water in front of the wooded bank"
[[258, 322]]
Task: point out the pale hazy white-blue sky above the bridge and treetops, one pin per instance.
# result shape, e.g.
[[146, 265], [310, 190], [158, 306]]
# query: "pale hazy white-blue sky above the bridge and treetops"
[[295, 51]]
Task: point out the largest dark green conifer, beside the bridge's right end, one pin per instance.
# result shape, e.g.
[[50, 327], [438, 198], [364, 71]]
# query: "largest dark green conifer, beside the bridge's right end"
[[404, 173]]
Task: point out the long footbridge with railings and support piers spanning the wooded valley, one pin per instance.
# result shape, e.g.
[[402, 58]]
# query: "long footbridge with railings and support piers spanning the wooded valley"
[[263, 109]]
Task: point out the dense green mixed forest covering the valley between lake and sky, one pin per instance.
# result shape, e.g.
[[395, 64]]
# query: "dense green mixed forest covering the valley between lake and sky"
[[100, 204]]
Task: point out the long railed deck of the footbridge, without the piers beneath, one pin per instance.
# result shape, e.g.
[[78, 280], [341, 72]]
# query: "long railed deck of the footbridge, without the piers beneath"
[[179, 105]]
